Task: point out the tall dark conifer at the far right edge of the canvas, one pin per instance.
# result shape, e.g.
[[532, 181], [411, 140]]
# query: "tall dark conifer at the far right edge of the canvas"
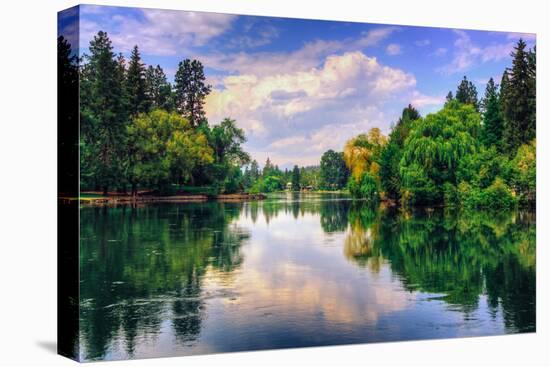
[[519, 104]]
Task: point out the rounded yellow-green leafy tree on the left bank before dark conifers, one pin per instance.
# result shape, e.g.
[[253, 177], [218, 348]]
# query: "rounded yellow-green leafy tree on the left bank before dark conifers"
[[166, 149]]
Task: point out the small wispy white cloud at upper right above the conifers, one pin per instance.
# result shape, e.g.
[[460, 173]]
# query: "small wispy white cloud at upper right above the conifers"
[[467, 53]]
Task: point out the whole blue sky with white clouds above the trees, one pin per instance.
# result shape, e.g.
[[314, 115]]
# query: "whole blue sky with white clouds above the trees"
[[300, 87]]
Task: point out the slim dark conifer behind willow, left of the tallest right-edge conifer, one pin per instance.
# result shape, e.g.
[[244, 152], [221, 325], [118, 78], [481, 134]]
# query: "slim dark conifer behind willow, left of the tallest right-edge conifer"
[[493, 124]]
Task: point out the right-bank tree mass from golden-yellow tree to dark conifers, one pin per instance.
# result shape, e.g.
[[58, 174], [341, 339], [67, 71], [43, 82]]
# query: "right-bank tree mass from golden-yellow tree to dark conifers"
[[472, 153]]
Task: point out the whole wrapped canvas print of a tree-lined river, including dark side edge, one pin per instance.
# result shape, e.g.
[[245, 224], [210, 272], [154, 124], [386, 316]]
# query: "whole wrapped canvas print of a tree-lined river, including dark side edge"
[[239, 183]]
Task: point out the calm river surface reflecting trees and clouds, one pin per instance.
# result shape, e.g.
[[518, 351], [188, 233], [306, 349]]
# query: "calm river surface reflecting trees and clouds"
[[295, 271]]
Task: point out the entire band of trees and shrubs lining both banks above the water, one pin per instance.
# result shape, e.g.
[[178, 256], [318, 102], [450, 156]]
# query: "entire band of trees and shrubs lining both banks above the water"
[[140, 132]]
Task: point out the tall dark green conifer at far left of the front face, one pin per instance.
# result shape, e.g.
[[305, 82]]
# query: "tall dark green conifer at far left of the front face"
[[103, 116]]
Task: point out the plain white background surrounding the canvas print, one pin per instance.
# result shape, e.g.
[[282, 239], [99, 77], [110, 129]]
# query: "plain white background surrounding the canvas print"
[[28, 182]]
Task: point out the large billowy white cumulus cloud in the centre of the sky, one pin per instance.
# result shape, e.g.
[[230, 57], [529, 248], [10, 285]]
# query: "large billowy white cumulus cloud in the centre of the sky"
[[295, 116]]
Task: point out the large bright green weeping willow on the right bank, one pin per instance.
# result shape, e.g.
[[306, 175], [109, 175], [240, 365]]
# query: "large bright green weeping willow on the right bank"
[[433, 150]]
